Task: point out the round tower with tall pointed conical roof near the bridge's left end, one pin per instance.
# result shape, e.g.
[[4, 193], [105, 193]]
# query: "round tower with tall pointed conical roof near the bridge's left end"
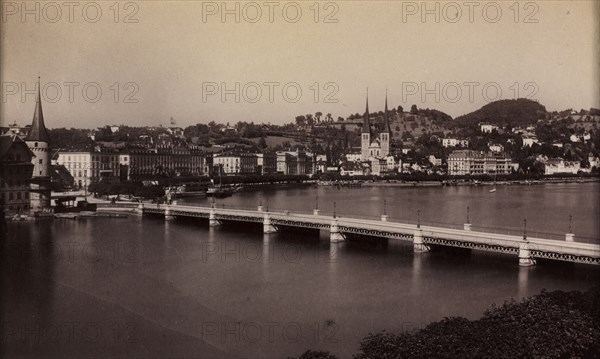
[[38, 142]]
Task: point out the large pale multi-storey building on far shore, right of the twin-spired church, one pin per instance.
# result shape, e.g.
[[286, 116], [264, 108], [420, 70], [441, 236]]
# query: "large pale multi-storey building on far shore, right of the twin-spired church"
[[468, 162]]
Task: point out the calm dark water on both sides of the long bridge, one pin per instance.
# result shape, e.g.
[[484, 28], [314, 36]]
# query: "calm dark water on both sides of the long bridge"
[[140, 287]]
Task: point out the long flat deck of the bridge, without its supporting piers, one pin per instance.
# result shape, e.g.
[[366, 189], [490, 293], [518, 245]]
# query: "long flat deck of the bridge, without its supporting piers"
[[539, 247]]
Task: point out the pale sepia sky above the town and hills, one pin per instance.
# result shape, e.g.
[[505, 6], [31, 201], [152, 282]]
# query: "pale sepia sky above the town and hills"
[[177, 57]]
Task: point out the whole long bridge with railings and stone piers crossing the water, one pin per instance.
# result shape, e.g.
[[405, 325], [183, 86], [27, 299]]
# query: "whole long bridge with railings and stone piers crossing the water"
[[422, 237]]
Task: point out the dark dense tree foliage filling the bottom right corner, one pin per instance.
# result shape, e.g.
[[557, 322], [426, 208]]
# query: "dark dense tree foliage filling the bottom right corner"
[[549, 325]]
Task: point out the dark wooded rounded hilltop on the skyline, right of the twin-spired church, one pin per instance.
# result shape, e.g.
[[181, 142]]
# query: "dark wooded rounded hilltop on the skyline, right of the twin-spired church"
[[506, 112]]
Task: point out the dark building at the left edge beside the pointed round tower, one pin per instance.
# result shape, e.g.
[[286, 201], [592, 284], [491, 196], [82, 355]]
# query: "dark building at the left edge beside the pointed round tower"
[[16, 171]]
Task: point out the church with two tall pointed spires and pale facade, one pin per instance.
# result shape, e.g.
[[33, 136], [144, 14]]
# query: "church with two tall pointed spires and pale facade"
[[375, 144]]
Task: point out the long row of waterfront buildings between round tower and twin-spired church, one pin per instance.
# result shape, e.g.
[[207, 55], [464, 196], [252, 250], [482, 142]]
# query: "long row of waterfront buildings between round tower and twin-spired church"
[[137, 164]]
